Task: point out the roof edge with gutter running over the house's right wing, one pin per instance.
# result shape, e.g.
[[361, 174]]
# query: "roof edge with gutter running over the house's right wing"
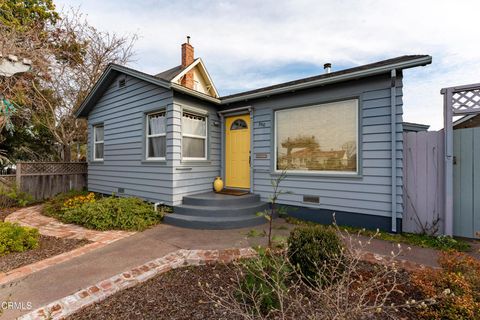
[[383, 66]]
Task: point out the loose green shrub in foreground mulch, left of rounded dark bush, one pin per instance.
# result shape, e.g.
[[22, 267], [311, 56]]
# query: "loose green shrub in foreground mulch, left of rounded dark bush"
[[265, 277]]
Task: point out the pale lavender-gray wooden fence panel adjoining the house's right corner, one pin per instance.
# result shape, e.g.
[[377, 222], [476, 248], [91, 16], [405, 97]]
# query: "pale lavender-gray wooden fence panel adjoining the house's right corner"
[[423, 181]]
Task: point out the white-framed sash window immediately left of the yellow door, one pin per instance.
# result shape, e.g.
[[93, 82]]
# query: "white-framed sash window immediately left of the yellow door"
[[194, 137]]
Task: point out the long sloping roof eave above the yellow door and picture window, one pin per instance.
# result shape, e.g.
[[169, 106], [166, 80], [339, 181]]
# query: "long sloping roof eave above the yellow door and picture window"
[[343, 77]]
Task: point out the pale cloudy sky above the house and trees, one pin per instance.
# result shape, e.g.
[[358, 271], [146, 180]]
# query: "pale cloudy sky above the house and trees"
[[249, 44]]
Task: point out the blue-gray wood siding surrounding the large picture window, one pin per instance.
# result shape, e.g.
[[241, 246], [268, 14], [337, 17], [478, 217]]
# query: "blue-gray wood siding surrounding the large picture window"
[[370, 193]]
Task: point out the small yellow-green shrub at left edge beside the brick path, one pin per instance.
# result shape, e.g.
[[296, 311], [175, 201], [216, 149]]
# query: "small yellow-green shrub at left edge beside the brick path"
[[15, 238]]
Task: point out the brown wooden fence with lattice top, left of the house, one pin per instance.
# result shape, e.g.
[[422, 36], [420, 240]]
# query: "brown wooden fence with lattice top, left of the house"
[[43, 180]]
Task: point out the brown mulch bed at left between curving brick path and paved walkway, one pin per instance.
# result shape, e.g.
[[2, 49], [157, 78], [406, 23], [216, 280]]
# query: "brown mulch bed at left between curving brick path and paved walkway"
[[48, 247]]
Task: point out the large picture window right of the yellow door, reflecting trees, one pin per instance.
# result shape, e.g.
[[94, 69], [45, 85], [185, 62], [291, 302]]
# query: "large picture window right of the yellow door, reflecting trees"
[[319, 138]]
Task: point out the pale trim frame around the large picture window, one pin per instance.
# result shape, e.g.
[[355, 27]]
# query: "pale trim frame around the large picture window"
[[319, 172]]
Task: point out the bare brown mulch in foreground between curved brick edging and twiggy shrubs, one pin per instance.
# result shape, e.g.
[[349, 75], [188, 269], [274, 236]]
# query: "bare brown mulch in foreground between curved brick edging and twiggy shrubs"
[[173, 295]]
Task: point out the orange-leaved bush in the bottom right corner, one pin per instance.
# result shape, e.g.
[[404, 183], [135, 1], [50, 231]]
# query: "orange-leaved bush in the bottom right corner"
[[456, 287]]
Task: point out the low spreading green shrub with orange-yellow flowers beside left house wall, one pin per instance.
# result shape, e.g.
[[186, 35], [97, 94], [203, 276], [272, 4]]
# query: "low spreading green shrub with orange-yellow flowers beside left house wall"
[[112, 213]]
